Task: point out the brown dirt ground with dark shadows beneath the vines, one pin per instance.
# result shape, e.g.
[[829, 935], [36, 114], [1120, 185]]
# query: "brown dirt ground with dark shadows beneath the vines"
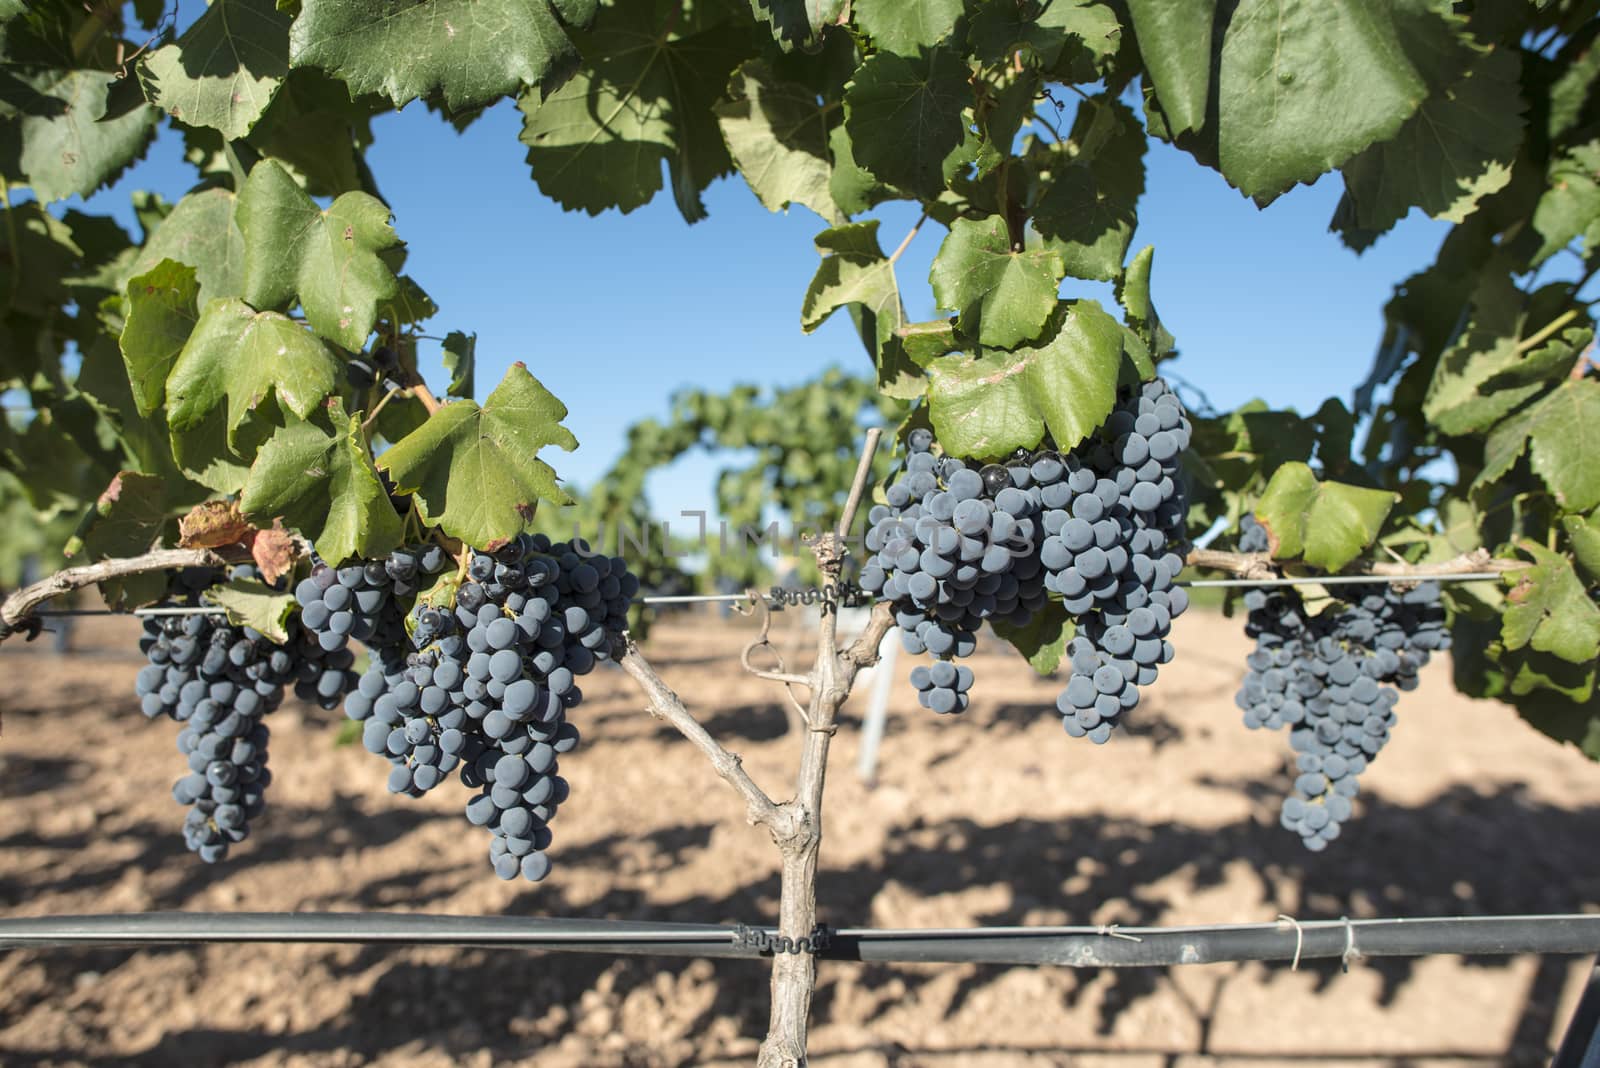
[[994, 818]]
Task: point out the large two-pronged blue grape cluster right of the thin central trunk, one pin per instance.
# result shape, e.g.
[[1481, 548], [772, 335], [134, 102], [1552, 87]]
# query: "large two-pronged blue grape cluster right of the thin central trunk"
[[1100, 528]]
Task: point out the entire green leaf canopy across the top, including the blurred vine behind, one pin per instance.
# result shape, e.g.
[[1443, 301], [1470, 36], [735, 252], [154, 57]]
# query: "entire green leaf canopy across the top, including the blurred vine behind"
[[255, 346]]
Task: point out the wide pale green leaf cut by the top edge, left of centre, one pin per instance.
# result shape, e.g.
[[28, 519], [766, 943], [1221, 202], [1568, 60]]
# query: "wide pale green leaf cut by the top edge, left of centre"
[[468, 52]]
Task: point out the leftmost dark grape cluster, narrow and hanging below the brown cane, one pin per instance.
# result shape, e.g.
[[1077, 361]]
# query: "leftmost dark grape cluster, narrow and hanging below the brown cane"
[[220, 682]]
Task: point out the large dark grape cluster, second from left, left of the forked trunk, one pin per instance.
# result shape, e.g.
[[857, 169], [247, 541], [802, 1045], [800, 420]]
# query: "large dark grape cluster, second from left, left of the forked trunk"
[[481, 687]]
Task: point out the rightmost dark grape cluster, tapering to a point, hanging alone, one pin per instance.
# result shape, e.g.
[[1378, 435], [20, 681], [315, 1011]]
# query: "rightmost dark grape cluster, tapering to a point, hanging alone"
[[1334, 680]]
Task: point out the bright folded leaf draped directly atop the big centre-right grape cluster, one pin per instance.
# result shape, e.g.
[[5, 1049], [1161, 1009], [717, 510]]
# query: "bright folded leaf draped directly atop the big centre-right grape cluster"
[[1065, 385]]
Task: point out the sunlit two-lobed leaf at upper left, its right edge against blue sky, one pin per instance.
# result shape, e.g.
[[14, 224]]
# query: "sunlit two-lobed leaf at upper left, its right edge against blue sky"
[[330, 260]]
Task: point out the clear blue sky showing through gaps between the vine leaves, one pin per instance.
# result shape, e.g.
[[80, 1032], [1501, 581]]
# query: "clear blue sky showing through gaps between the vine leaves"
[[617, 313]]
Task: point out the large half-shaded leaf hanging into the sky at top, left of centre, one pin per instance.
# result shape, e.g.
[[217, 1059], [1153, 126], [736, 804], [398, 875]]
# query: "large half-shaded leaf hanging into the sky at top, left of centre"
[[644, 98]]
